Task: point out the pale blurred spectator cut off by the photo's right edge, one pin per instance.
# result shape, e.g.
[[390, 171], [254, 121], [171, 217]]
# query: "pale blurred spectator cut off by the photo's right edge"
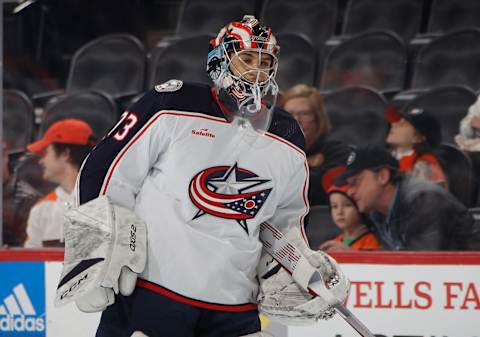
[[469, 137]]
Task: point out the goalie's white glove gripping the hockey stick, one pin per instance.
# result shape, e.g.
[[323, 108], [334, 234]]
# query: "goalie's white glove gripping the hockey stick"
[[283, 299]]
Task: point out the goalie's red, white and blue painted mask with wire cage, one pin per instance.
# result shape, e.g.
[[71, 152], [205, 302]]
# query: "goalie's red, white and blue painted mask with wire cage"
[[242, 64]]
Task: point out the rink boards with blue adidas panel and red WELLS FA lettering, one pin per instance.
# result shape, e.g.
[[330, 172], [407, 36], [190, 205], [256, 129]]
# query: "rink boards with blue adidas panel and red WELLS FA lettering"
[[394, 294]]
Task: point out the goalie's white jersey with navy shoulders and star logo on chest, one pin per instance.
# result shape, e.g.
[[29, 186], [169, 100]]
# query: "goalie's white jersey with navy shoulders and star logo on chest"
[[203, 187]]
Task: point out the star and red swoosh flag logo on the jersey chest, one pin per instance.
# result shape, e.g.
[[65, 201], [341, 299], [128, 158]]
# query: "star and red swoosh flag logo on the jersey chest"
[[228, 192]]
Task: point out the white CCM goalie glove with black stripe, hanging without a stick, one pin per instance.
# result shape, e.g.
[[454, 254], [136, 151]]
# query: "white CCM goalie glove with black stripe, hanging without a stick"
[[105, 249]]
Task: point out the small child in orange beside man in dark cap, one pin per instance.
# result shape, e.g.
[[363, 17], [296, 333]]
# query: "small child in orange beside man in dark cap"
[[356, 234]]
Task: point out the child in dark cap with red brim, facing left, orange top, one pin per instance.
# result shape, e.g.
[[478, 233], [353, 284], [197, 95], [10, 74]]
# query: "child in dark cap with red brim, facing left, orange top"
[[413, 137]]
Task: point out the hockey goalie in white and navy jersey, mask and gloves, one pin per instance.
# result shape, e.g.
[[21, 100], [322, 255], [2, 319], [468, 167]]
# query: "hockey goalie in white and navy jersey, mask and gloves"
[[166, 237]]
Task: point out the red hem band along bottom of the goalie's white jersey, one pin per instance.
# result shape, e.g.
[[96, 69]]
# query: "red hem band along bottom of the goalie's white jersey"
[[196, 303]]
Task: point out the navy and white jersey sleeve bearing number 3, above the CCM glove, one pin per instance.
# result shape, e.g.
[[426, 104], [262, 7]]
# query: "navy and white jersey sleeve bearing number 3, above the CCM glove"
[[119, 164]]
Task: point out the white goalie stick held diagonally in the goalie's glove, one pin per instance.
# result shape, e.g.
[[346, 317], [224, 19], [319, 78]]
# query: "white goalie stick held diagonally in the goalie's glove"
[[290, 257]]
